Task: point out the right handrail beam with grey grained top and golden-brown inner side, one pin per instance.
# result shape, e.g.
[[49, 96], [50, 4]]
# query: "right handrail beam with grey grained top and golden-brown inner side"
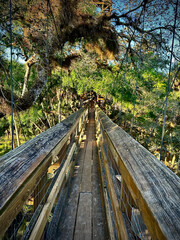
[[154, 188]]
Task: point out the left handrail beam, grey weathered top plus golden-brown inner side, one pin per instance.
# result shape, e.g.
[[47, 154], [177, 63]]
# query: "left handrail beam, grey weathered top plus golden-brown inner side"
[[21, 168]]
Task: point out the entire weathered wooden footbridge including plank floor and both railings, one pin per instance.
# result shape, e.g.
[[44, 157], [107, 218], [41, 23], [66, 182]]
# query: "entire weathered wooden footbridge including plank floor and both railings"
[[141, 195]]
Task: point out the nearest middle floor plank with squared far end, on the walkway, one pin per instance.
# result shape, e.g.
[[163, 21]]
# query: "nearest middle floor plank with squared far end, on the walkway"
[[83, 228]]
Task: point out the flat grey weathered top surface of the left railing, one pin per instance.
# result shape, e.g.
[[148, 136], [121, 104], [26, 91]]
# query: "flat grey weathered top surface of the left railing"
[[17, 165]]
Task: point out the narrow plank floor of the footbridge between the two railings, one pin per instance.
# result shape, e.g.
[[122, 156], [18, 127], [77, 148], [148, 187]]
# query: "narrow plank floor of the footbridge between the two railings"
[[83, 215]]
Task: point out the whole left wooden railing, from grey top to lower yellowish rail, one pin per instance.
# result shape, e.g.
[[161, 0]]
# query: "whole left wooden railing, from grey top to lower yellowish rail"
[[23, 171]]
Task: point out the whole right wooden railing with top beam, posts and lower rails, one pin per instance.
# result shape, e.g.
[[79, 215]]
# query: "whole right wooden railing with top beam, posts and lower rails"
[[138, 186]]
